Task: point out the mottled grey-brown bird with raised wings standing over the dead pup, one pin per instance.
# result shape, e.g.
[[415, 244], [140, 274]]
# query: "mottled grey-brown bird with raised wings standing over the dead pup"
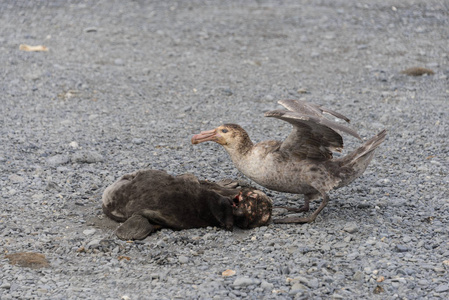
[[301, 164]]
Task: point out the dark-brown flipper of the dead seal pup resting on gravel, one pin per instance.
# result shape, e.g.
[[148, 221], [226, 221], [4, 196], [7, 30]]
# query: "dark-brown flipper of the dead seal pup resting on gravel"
[[136, 227]]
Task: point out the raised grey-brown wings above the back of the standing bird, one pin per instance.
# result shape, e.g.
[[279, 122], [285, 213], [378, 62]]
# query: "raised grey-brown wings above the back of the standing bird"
[[313, 135]]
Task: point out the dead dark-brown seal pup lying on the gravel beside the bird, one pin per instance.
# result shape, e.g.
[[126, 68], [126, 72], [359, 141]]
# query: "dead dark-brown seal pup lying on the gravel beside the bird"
[[147, 200]]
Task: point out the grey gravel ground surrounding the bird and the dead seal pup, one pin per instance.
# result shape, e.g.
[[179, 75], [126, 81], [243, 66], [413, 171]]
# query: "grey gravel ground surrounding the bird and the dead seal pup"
[[125, 84]]
